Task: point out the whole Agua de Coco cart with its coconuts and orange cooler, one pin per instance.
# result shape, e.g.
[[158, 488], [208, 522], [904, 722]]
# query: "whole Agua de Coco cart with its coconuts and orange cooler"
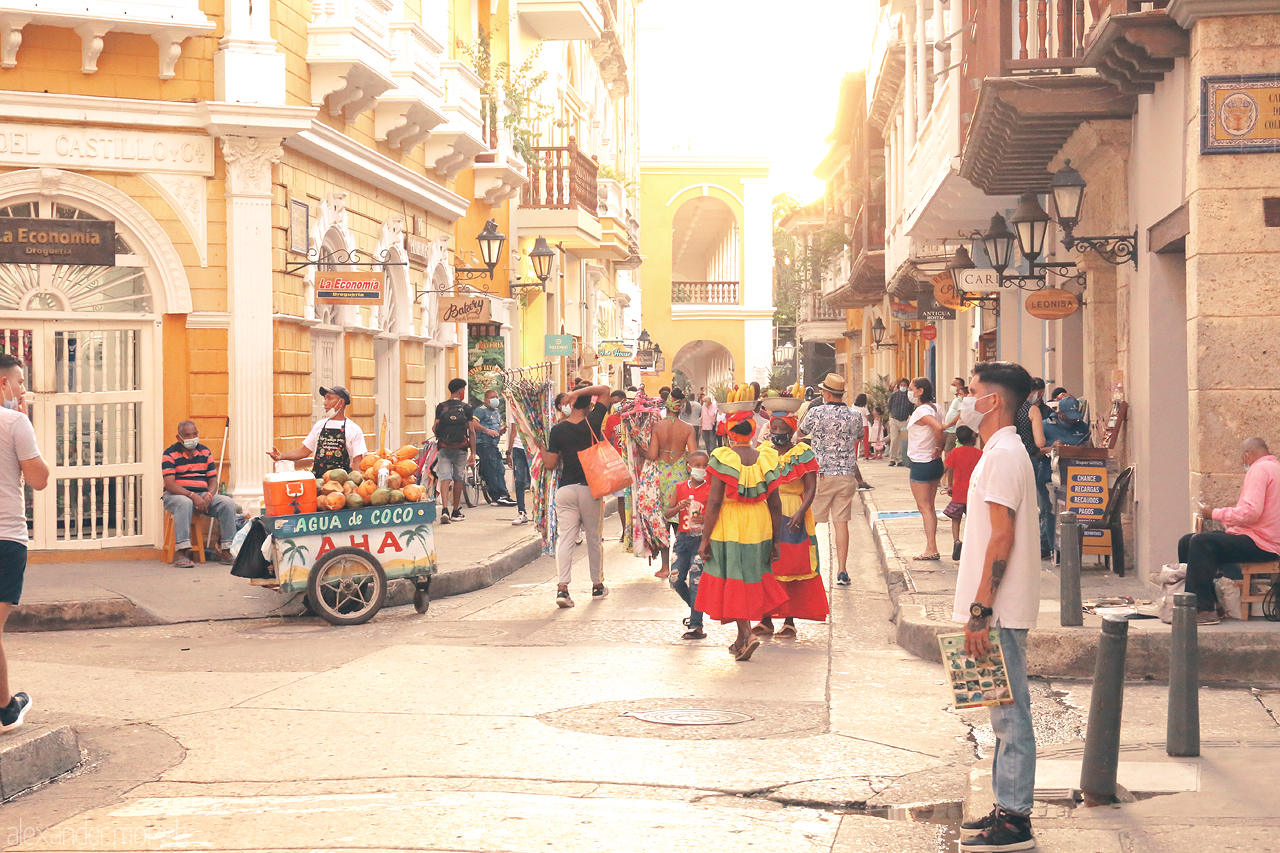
[[341, 544]]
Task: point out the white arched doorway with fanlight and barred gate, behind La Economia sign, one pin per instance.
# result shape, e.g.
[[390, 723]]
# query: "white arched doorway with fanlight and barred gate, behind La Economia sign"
[[89, 340]]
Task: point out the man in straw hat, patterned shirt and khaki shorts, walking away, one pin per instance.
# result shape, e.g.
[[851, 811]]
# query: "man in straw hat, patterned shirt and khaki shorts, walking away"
[[834, 432]]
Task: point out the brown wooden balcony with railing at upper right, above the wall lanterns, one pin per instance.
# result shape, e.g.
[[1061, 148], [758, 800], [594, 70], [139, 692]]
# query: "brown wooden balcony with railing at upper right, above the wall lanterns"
[[1018, 126]]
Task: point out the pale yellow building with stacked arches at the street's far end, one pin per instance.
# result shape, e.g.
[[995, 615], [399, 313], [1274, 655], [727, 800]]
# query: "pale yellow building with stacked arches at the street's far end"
[[707, 281]]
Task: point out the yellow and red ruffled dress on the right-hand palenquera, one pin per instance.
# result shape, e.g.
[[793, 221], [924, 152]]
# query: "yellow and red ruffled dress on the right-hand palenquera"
[[798, 564]]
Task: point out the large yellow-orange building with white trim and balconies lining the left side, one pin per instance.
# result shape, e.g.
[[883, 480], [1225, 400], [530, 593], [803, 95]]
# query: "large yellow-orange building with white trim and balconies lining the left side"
[[236, 150]]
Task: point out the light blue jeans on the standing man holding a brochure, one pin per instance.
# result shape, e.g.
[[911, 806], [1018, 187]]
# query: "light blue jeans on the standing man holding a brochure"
[[1013, 770]]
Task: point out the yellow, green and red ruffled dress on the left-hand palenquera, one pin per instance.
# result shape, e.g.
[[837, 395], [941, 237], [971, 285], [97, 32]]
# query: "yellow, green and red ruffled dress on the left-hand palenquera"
[[738, 582]]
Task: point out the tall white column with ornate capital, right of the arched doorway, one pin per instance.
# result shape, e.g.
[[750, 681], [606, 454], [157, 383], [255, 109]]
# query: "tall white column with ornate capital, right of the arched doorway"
[[249, 280]]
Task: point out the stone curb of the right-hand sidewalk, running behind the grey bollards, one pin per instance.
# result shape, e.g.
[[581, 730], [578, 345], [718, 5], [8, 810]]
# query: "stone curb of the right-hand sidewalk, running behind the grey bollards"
[[1072, 653]]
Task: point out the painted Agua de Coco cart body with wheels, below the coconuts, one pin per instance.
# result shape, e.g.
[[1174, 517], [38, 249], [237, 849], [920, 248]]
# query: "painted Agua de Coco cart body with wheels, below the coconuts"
[[345, 559]]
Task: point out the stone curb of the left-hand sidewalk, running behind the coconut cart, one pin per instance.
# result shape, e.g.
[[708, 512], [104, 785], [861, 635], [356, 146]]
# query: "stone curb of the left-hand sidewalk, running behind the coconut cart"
[[124, 613]]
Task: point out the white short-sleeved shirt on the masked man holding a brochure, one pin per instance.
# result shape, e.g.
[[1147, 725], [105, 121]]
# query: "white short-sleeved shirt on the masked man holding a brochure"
[[1004, 476]]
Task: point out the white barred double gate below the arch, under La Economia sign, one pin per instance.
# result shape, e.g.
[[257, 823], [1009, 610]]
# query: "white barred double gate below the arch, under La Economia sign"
[[90, 403]]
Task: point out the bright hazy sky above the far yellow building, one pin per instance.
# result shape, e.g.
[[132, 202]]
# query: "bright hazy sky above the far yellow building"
[[749, 79]]
